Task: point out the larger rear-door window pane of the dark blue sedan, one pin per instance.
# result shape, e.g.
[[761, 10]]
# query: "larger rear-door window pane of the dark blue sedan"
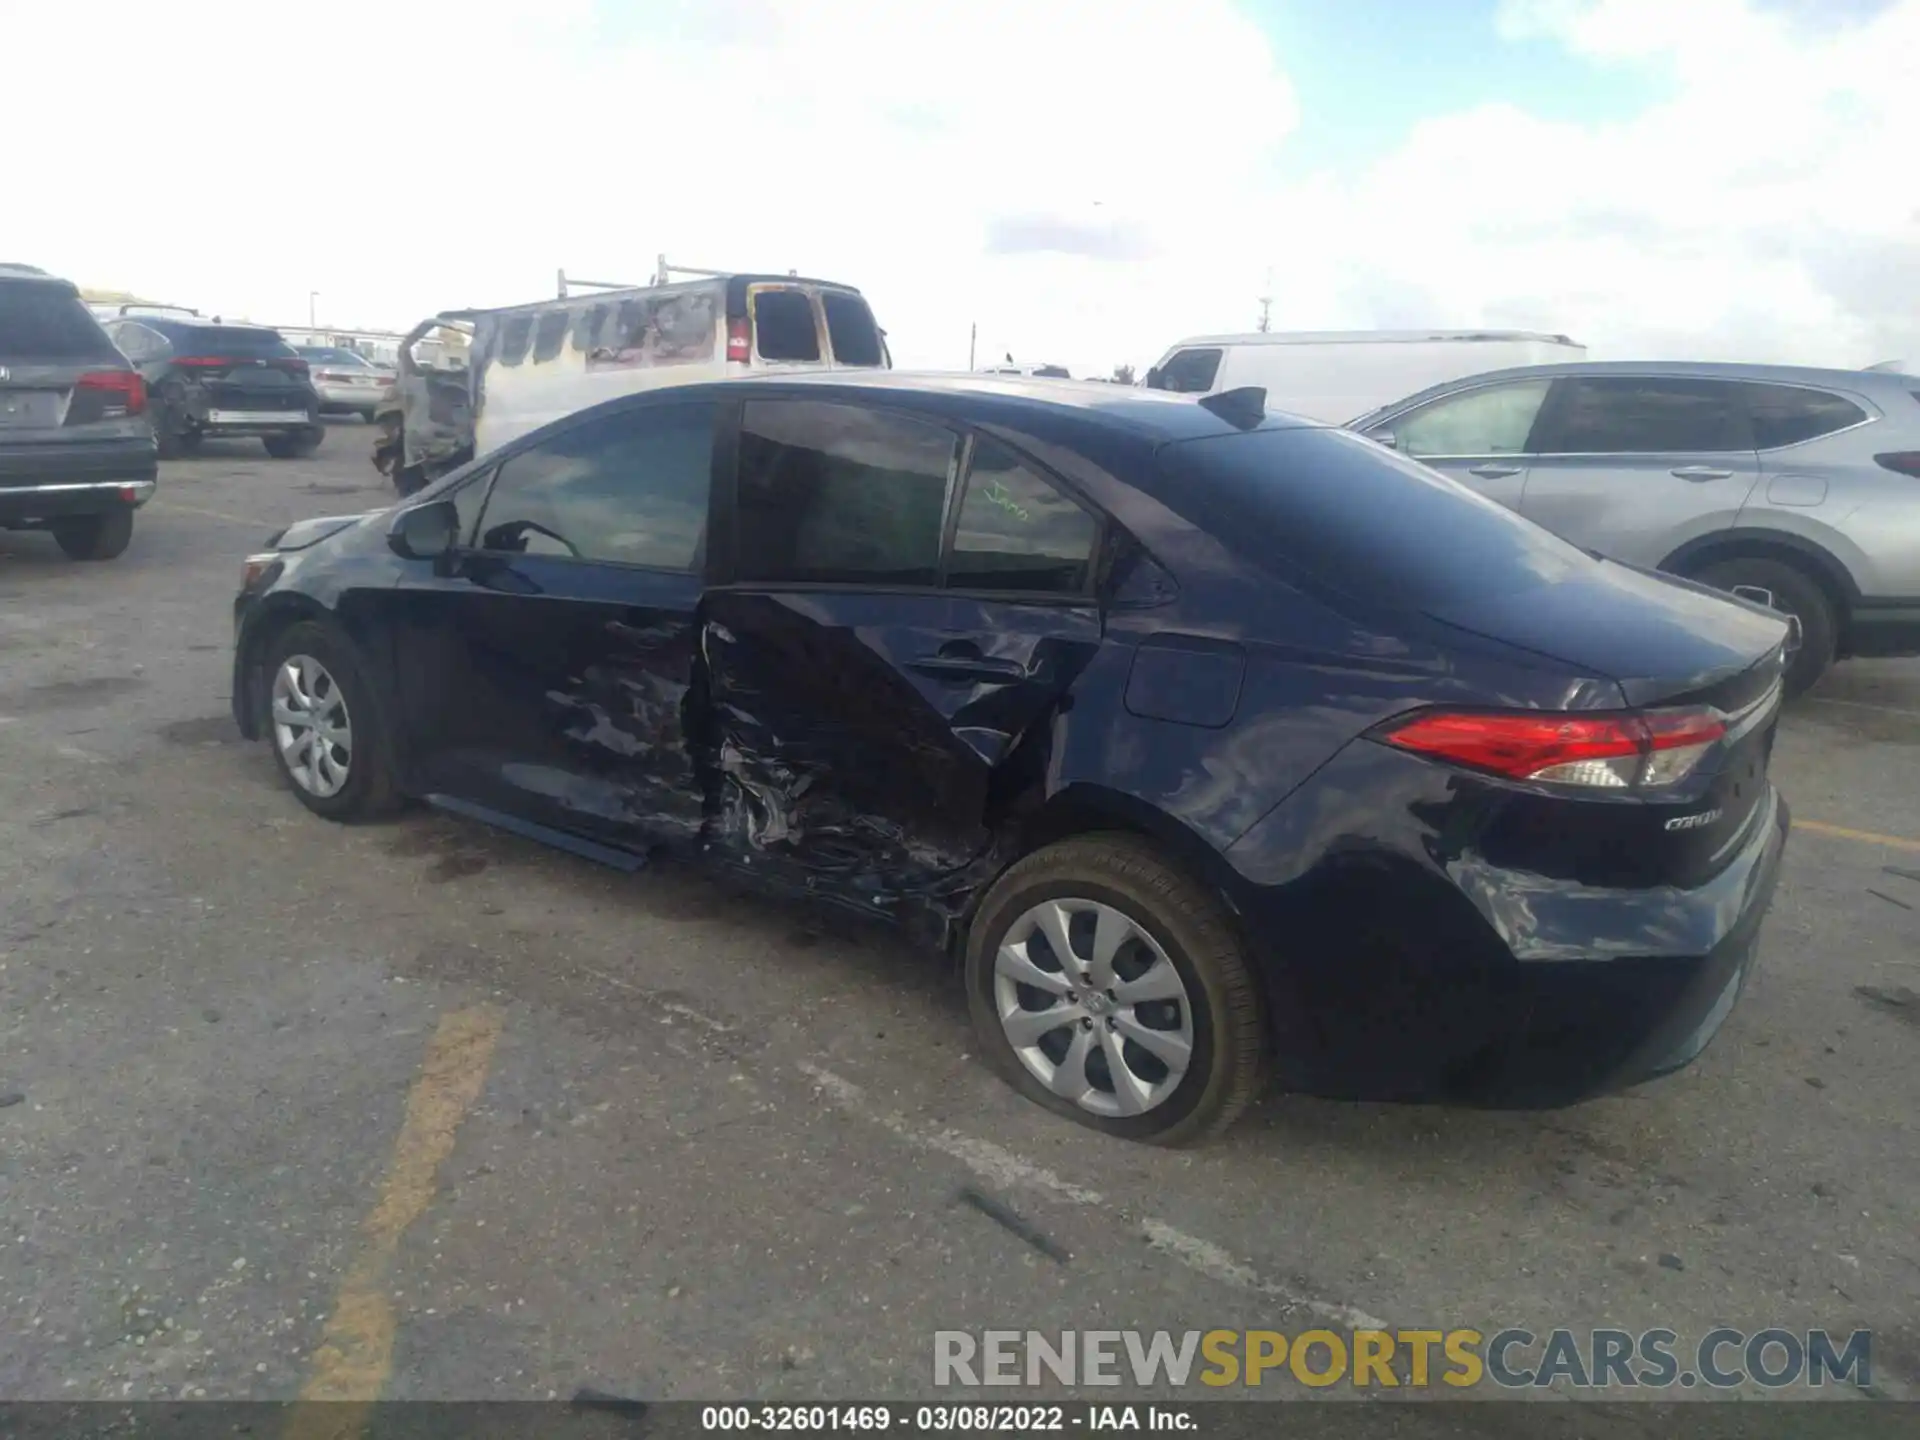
[[840, 494]]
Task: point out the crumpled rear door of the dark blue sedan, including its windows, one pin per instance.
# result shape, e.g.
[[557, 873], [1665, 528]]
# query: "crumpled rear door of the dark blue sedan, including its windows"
[[903, 608]]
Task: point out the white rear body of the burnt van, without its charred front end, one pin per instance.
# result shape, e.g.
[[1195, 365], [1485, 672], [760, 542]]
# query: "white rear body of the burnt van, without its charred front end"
[[535, 364]]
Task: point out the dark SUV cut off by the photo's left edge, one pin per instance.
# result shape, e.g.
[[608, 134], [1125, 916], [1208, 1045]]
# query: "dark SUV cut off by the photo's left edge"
[[76, 446]]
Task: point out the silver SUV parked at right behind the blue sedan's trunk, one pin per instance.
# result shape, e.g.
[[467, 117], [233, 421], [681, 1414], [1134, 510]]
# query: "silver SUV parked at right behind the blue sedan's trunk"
[[1792, 487]]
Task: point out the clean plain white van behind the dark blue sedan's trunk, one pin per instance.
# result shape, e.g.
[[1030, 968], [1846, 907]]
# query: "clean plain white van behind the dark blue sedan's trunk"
[[1341, 375]]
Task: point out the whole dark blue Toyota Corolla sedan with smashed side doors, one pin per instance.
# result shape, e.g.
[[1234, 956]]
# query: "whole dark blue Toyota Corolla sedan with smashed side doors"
[[1211, 744]]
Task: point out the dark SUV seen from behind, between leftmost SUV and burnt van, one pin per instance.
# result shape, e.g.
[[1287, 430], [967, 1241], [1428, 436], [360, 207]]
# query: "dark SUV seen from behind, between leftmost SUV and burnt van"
[[222, 379]]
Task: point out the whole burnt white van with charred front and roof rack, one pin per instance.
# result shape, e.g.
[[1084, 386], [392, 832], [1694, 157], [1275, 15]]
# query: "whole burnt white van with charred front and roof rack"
[[471, 381]]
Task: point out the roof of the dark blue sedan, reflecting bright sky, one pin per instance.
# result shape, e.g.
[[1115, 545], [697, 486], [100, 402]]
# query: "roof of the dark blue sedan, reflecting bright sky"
[[1155, 416]]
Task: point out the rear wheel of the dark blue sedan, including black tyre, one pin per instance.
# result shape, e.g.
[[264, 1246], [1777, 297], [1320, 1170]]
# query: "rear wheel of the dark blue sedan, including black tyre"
[[1113, 990]]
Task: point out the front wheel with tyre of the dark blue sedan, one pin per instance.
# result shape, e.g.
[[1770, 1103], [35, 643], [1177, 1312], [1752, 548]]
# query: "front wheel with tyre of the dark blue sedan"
[[325, 727]]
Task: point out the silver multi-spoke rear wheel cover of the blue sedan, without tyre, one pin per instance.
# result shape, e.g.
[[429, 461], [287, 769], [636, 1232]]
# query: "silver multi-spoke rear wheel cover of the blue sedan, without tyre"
[[1093, 1007]]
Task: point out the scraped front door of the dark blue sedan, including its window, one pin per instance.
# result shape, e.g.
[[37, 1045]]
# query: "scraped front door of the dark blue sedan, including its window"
[[546, 663]]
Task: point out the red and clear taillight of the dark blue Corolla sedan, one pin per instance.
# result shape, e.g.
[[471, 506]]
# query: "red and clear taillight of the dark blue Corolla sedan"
[[1612, 752]]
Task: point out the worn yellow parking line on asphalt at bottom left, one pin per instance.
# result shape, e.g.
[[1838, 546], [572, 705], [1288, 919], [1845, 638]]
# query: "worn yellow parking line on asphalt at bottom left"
[[356, 1349]]
